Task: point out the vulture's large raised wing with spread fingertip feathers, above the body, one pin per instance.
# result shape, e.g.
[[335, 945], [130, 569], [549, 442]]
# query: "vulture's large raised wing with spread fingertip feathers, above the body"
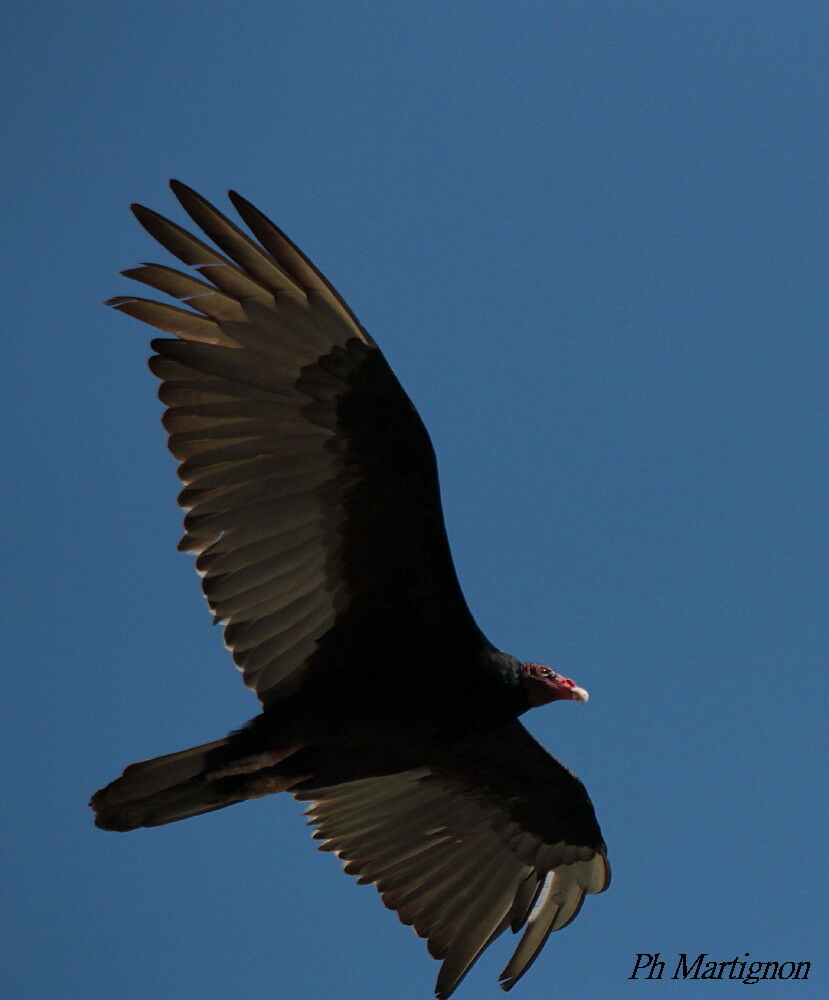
[[310, 480]]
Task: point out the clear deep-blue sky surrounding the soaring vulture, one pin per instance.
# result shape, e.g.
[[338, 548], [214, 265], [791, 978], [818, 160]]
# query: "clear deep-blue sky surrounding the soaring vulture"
[[590, 238]]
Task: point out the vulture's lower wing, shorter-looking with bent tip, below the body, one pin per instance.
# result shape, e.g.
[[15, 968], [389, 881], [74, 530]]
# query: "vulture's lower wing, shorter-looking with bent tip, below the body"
[[499, 836]]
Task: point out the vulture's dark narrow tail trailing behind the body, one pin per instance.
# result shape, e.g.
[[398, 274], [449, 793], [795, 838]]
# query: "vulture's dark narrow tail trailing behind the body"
[[191, 782]]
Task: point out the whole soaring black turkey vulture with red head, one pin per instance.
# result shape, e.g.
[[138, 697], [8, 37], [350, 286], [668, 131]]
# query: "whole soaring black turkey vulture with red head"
[[313, 508]]
